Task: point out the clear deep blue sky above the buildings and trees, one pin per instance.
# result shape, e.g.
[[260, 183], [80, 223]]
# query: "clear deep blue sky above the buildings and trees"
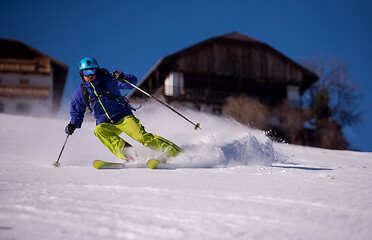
[[133, 35]]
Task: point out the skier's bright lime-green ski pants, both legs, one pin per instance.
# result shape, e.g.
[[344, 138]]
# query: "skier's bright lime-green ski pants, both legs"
[[108, 134]]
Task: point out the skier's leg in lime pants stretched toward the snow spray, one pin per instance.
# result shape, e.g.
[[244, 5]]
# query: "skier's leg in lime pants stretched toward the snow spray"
[[133, 127]]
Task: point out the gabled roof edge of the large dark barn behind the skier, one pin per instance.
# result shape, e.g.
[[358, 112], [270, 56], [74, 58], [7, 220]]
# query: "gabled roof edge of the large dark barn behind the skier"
[[235, 36]]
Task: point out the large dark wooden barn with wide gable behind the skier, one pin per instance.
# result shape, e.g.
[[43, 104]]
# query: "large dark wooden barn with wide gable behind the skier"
[[204, 75]]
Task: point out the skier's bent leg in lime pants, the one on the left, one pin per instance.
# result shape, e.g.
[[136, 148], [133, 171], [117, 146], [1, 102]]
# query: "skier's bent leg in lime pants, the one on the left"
[[108, 134]]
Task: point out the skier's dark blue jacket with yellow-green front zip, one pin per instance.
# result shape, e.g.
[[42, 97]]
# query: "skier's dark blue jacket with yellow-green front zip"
[[105, 110]]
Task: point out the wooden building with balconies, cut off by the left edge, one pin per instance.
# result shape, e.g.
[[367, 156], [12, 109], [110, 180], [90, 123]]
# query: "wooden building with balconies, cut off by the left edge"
[[31, 83]]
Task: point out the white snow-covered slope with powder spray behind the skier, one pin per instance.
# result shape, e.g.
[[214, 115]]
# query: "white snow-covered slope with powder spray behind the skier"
[[232, 182]]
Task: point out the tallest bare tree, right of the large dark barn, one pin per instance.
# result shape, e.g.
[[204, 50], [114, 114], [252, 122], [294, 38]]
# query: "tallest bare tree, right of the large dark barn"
[[334, 102]]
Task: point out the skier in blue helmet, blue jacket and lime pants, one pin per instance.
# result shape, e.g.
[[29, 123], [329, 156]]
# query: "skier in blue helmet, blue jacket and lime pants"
[[99, 92]]
